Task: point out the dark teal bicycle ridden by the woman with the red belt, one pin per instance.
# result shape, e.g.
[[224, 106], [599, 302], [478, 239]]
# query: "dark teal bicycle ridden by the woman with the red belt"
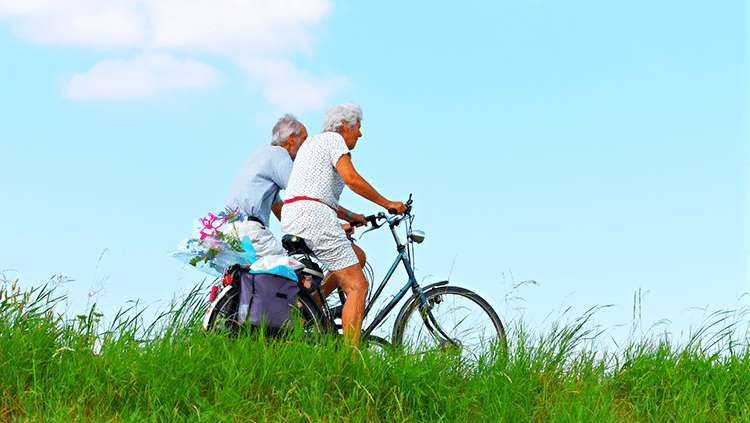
[[437, 315]]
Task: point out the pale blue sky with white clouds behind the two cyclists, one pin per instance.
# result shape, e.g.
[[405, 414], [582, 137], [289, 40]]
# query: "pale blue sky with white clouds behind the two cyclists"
[[596, 148]]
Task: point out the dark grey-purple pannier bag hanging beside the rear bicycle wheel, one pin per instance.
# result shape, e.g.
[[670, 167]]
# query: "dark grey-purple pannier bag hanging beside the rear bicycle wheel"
[[265, 298]]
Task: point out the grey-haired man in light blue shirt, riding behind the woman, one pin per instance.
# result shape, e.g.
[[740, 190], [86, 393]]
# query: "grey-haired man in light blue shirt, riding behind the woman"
[[256, 188]]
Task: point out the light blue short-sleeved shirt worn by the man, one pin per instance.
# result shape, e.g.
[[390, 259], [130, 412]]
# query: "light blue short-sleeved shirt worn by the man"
[[257, 185]]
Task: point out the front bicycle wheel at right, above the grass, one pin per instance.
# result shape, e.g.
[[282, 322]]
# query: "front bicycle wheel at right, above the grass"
[[475, 330]]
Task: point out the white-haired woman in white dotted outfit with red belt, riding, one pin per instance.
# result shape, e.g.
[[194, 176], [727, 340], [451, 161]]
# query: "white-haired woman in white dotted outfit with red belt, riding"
[[311, 207]]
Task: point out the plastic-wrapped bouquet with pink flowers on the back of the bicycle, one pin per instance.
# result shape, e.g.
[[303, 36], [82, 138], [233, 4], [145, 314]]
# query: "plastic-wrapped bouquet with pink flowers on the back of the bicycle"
[[212, 247]]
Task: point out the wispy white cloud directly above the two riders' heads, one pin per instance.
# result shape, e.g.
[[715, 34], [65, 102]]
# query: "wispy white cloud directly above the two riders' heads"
[[291, 88]]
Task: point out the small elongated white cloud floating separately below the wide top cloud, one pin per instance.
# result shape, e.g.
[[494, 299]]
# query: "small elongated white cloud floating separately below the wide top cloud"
[[149, 75]]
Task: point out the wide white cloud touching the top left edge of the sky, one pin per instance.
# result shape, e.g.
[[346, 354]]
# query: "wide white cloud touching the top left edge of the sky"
[[209, 26]]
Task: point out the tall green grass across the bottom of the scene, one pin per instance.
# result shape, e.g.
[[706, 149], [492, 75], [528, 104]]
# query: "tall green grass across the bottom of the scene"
[[54, 369]]
